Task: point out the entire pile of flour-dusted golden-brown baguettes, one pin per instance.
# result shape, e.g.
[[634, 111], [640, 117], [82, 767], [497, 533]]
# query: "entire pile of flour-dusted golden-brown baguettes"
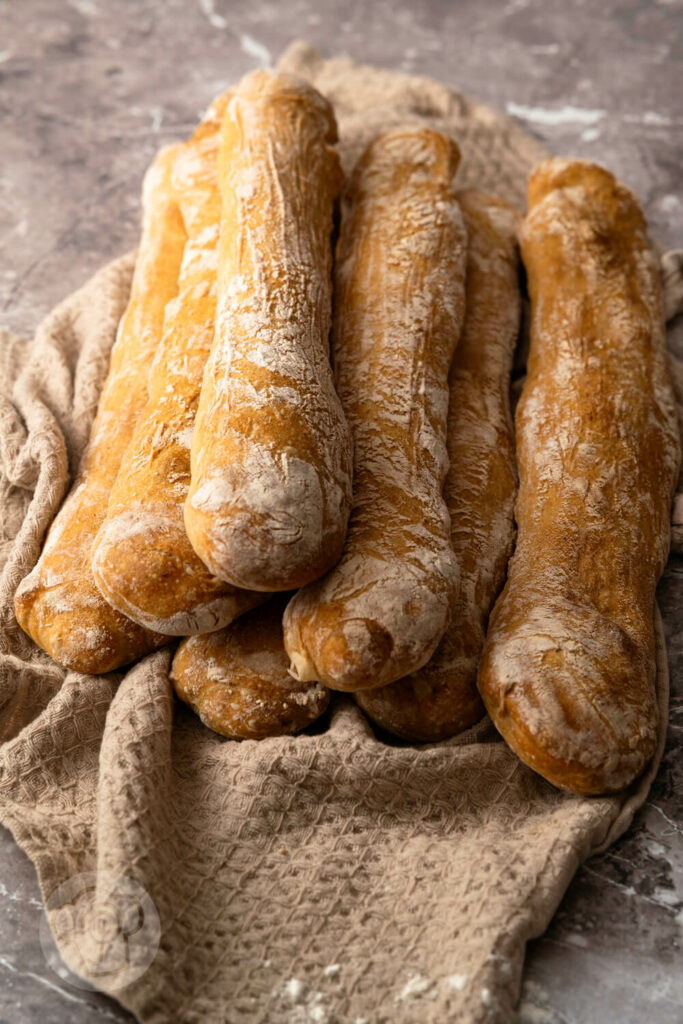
[[314, 517]]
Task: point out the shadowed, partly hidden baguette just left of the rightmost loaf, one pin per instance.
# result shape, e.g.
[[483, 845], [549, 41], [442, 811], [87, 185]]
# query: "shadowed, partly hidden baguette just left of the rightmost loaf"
[[442, 699]]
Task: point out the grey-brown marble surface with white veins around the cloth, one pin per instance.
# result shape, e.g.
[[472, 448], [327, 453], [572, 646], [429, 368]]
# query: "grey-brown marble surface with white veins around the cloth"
[[91, 89]]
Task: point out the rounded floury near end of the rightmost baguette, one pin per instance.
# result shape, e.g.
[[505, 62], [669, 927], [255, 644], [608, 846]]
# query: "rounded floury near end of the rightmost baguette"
[[574, 696]]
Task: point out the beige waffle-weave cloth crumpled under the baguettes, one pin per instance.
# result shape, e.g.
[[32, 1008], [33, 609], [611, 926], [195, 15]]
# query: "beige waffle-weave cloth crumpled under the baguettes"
[[327, 878]]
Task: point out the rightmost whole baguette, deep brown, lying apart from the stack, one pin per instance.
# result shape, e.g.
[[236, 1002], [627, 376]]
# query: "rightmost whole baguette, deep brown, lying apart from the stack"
[[568, 671]]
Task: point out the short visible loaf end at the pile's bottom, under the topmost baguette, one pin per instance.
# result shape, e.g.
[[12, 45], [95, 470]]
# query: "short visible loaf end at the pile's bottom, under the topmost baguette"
[[238, 682]]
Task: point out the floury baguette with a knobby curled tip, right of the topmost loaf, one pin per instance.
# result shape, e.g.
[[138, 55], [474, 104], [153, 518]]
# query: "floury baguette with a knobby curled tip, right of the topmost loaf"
[[400, 301]]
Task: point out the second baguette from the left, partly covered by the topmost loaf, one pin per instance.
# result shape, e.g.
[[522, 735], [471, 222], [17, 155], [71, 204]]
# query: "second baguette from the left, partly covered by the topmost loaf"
[[143, 561]]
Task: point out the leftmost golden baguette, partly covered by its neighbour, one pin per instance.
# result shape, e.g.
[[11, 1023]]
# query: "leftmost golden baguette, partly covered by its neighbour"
[[59, 604]]
